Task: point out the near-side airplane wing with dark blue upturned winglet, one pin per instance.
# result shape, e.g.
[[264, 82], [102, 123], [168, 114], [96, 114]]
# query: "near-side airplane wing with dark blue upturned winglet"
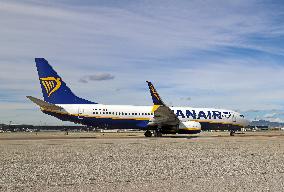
[[163, 115]]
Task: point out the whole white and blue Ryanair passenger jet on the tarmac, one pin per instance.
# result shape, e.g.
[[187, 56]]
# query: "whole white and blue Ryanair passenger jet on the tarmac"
[[60, 102]]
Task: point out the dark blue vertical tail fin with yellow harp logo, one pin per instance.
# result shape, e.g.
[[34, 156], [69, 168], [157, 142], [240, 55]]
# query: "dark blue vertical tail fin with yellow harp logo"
[[54, 89]]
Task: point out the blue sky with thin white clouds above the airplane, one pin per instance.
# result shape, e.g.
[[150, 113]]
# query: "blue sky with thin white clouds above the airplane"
[[203, 53]]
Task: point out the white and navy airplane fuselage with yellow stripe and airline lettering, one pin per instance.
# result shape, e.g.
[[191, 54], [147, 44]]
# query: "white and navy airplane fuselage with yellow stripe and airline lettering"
[[138, 117]]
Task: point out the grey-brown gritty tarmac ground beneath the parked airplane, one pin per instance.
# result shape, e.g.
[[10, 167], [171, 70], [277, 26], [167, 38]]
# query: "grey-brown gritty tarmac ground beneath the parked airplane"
[[129, 162]]
